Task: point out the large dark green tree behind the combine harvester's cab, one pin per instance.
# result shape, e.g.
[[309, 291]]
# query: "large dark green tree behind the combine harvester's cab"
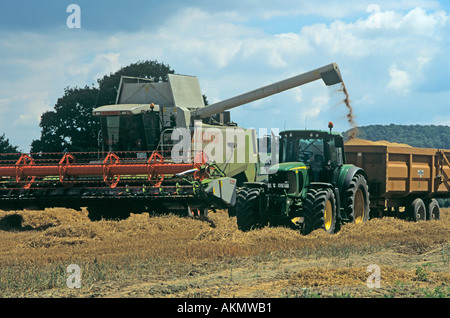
[[71, 126]]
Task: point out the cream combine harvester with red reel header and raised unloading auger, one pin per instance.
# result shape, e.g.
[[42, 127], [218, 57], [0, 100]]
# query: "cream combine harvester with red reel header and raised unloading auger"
[[136, 170]]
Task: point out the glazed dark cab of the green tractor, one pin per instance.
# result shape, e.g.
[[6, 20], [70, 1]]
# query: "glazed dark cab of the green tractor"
[[321, 151]]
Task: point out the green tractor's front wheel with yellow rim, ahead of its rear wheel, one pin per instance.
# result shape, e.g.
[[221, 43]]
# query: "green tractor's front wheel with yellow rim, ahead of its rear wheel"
[[319, 211]]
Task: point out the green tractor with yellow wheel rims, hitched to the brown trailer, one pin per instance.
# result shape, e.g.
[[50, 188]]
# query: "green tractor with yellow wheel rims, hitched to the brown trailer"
[[311, 187]]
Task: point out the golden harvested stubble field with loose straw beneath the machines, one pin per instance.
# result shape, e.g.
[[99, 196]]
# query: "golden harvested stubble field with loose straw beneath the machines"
[[172, 256]]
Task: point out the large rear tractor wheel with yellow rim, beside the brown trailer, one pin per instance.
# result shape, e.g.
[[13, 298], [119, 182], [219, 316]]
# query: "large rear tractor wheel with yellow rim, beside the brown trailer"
[[357, 200]]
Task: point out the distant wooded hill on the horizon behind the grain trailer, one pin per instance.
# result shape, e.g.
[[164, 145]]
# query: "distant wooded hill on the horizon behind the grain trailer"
[[422, 136]]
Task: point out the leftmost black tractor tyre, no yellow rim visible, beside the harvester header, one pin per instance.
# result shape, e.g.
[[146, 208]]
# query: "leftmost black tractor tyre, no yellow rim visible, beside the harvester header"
[[248, 214]]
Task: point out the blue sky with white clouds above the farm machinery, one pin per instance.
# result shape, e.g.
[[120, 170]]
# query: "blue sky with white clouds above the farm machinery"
[[393, 56]]
